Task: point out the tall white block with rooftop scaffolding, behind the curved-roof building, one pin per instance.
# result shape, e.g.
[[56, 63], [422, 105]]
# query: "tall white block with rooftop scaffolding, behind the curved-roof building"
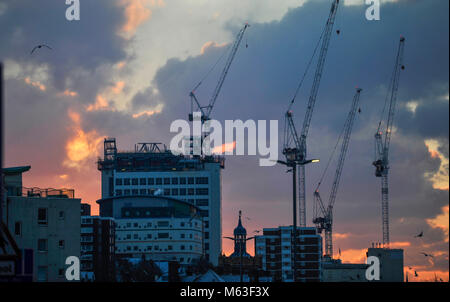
[[151, 169]]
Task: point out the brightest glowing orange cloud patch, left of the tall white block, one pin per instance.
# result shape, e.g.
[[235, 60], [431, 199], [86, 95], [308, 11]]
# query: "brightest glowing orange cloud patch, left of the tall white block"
[[82, 145]]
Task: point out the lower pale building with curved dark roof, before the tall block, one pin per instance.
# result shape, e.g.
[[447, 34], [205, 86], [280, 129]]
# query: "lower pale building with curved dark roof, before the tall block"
[[157, 228]]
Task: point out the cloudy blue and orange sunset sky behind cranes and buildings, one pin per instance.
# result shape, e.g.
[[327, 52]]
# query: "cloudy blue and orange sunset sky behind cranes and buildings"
[[126, 68]]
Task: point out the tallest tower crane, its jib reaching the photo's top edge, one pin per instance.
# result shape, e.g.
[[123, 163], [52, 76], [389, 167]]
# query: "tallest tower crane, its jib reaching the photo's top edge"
[[295, 146]]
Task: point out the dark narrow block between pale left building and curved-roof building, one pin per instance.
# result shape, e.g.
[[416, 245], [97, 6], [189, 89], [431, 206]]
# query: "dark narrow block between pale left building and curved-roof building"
[[97, 248]]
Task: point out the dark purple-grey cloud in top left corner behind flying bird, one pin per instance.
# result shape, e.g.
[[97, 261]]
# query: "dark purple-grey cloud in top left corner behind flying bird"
[[79, 47]]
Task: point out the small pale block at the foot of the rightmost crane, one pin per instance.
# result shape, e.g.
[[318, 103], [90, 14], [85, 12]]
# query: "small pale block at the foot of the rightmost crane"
[[391, 263]]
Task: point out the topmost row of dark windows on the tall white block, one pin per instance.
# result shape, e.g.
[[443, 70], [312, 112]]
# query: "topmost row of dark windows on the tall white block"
[[160, 181]]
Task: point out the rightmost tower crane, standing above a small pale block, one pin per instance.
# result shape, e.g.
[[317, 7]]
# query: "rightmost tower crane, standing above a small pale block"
[[381, 162]]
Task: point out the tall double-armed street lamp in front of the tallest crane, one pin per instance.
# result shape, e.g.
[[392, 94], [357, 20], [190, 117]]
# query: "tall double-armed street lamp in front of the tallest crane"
[[292, 161]]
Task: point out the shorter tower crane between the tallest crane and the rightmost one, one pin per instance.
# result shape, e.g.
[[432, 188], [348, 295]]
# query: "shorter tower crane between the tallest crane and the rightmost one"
[[325, 221]]
